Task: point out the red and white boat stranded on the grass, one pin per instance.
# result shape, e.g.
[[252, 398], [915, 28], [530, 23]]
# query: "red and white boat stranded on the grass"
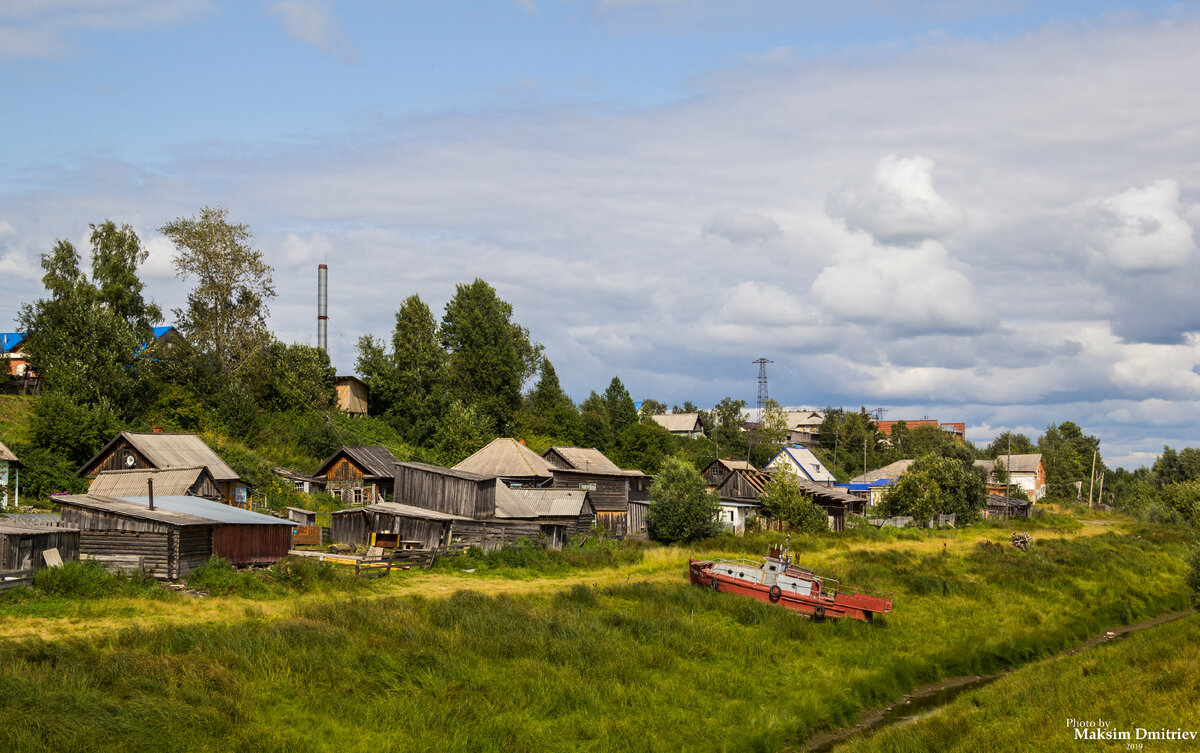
[[777, 581]]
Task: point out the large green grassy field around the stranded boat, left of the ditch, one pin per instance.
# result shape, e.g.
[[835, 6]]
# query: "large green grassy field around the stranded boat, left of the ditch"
[[610, 653]]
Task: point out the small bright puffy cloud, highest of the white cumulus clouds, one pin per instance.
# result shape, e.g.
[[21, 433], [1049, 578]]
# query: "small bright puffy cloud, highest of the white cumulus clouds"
[[899, 204]]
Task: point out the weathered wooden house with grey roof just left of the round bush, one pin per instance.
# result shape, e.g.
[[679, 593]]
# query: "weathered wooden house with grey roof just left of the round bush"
[[607, 484]]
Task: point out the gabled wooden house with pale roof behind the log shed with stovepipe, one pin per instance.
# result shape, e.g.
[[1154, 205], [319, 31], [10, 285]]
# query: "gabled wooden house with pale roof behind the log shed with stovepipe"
[[159, 450]]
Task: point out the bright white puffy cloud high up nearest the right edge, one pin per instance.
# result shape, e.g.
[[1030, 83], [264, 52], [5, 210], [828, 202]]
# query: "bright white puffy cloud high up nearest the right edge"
[[1143, 231]]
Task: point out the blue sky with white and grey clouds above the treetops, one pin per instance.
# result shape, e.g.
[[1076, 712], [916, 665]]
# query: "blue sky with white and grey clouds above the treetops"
[[970, 212]]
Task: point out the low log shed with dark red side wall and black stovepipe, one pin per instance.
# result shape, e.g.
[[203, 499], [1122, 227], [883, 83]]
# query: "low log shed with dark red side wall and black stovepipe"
[[175, 537]]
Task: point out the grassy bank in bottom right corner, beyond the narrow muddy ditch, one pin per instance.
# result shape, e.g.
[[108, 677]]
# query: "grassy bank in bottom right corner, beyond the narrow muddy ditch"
[[1148, 680]]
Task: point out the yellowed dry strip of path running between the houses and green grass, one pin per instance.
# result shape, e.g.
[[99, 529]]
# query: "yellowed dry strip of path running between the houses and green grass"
[[661, 565]]
